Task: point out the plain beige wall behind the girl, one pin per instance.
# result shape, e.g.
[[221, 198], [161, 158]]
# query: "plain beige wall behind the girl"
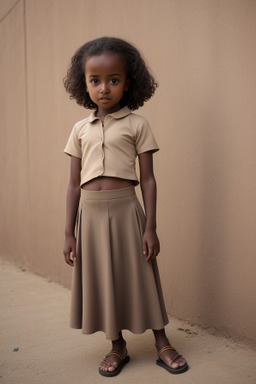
[[203, 54]]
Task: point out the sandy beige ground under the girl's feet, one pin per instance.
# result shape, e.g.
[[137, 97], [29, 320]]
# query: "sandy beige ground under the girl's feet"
[[37, 346]]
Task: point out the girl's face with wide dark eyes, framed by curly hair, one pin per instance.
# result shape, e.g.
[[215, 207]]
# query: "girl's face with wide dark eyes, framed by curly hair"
[[106, 81]]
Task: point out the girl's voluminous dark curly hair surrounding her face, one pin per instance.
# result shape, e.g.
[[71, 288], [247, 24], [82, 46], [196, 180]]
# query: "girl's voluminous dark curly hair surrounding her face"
[[142, 84]]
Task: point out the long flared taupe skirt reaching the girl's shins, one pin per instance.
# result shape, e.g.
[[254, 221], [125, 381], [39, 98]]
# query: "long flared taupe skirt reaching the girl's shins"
[[113, 286]]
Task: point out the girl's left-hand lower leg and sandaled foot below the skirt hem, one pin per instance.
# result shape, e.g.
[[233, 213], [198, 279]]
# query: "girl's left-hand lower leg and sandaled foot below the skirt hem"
[[116, 359]]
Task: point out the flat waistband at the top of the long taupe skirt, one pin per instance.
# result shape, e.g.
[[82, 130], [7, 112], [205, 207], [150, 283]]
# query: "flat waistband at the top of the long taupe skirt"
[[107, 194]]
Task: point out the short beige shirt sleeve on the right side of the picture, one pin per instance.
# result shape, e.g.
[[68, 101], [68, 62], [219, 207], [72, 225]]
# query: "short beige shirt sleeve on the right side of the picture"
[[145, 140]]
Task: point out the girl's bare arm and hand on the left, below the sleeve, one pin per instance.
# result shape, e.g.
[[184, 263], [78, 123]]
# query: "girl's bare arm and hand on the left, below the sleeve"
[[73, 196]]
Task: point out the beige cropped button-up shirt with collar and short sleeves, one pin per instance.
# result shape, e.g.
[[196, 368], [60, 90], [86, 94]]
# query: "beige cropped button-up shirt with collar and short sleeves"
[[110, 148]]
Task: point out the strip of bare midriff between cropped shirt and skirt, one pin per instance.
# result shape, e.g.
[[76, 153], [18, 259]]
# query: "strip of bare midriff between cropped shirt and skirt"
[[107, 183]]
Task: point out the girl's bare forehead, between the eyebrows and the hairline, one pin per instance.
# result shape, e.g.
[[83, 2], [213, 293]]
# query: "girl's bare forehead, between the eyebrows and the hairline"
[[107, 62]]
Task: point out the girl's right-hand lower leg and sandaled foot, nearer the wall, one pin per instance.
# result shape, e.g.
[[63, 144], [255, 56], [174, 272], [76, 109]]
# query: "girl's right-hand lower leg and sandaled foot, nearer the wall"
[[170, 357]]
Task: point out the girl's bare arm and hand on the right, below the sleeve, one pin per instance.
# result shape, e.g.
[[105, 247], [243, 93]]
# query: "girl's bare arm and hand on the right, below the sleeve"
[[150, 242]]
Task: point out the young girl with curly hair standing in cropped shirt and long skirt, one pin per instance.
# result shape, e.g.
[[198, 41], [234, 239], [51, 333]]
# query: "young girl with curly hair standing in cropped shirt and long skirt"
[[116, 284]]
